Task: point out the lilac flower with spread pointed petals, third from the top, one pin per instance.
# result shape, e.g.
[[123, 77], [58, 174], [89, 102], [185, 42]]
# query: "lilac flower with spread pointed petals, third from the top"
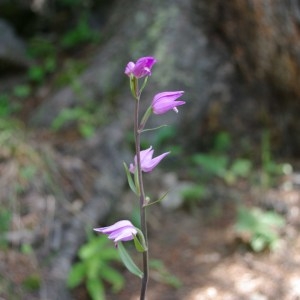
[[147, 162]]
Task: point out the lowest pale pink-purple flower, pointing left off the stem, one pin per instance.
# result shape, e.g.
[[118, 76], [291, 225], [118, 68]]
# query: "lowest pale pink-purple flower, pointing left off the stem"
[[120, 231]]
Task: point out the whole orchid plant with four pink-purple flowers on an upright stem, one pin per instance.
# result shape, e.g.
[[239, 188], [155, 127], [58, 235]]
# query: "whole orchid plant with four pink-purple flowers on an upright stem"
[[143, 162]]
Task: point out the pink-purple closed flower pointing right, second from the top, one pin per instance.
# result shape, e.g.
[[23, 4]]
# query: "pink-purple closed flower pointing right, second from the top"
[[166, 101]]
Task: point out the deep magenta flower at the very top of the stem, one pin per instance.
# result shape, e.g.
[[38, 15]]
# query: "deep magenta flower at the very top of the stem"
[[141, 68]]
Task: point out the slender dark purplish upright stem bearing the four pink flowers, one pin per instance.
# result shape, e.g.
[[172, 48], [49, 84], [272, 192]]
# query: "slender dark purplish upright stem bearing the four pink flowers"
[[137, 135]]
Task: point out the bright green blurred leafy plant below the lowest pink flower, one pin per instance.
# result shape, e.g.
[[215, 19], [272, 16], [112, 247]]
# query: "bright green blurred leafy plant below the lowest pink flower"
[[95, 268]]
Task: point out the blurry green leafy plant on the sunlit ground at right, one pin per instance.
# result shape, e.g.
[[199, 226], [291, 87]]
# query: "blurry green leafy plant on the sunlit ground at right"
[[261, 228]]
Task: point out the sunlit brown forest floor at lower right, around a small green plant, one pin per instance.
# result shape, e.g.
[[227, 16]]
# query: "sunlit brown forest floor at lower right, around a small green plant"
[[202, 250]]
